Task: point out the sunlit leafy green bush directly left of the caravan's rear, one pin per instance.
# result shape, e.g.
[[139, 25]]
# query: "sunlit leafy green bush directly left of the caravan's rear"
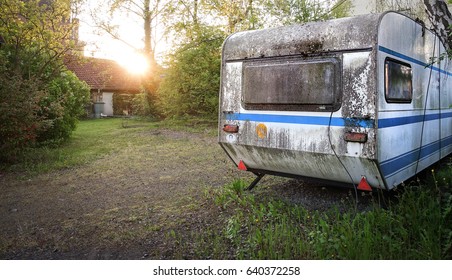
[[192, 80]]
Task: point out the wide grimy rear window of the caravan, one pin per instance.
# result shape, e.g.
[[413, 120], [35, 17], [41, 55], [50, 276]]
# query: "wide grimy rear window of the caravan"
[[304, 85]]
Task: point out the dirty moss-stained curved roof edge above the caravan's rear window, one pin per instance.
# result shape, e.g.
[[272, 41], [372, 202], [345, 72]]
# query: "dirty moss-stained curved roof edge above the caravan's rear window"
[[359, 32]]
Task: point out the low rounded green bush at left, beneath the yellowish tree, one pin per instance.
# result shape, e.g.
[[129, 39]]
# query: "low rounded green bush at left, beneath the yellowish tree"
[[31, 112]]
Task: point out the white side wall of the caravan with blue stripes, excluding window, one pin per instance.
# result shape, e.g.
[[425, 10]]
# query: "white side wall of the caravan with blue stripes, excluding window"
[[409, 134]]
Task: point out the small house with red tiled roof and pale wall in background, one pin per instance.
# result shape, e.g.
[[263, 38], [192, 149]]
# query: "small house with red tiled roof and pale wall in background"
[[112, 86]]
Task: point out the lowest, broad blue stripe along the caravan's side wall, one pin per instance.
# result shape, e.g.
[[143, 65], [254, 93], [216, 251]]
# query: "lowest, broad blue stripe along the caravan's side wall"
[[397, 164]]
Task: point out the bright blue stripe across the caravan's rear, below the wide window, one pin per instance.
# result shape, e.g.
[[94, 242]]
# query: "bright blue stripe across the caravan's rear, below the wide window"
[[307, 120]]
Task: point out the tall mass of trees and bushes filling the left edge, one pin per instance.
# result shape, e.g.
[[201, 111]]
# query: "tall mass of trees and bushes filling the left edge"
[[38, 98]]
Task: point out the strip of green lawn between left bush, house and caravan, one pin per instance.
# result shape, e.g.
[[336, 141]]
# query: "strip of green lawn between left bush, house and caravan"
[[93, 139]]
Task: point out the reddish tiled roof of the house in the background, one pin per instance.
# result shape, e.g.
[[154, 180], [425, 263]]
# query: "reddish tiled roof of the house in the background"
[[104, 74]]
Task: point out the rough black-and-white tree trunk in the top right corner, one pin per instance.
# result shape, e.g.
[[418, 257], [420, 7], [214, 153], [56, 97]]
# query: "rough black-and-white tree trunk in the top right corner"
[[441, 20]]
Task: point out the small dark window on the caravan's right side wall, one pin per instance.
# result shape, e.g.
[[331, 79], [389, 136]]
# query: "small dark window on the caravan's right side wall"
[[398, 81]]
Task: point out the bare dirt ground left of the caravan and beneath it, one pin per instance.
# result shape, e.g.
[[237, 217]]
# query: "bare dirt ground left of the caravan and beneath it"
[[126, 204]]
